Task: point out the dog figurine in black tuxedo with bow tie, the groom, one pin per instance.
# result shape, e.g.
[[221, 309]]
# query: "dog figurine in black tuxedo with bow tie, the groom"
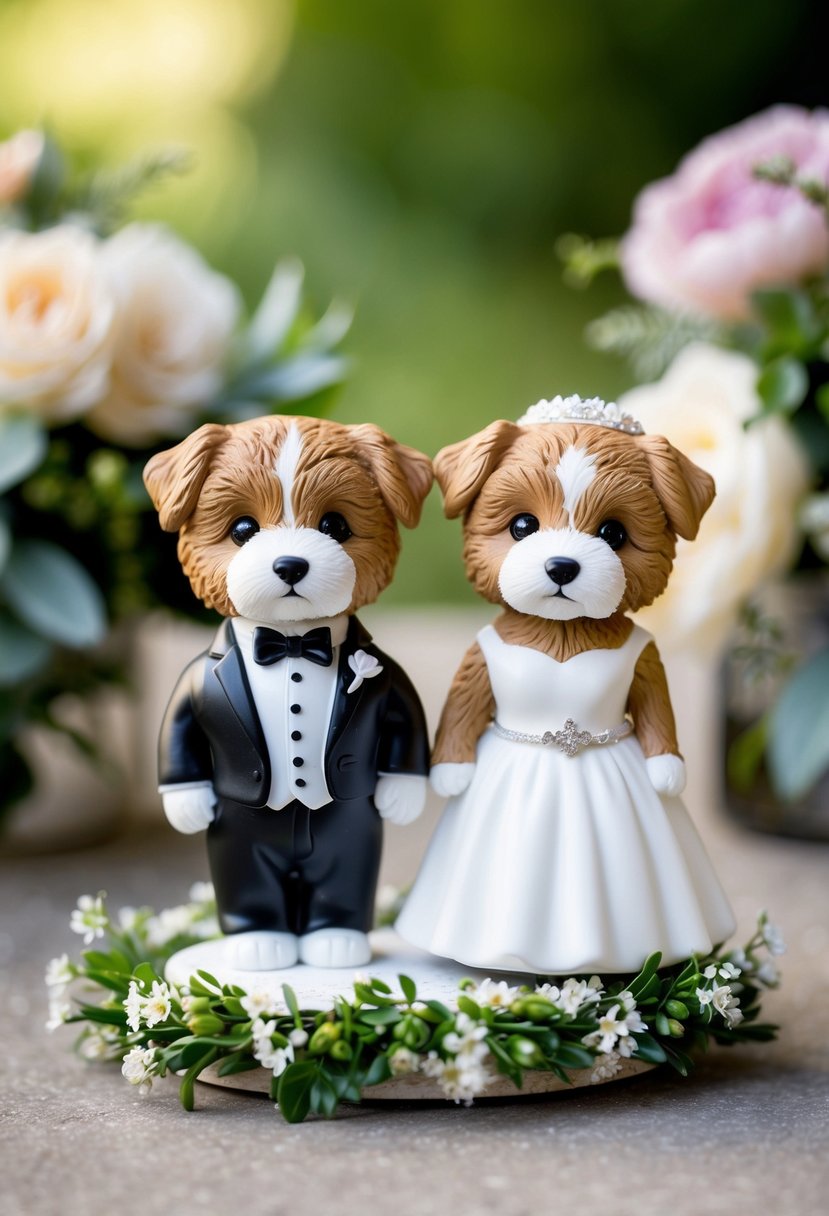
[[295, 736]]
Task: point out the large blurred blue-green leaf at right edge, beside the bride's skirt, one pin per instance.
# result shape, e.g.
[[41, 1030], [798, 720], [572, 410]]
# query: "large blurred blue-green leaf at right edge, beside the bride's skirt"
[[799, 730]]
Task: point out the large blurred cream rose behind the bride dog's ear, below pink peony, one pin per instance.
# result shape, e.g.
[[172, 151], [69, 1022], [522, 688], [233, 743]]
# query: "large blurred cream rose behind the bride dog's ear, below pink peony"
[[751, 532]]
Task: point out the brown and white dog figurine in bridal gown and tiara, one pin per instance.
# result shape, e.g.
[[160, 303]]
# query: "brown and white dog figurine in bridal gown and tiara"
[[565, 847]]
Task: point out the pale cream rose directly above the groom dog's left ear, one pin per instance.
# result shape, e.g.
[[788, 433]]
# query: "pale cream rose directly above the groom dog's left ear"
[[176, 322]]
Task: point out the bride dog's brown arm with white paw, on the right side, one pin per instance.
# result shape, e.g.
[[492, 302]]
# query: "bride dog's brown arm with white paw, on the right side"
[[650, 706]]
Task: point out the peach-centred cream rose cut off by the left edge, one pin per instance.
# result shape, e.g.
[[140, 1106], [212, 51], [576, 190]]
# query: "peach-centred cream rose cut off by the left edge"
[[57, 313]]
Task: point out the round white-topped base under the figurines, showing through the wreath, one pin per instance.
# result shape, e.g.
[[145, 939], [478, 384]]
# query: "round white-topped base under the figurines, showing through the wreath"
[[318, 987]]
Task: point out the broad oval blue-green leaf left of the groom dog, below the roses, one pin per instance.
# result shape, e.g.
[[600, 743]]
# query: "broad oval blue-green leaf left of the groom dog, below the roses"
[[53, 594]]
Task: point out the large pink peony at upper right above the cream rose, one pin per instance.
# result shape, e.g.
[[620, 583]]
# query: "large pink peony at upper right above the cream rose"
[[707, 238]]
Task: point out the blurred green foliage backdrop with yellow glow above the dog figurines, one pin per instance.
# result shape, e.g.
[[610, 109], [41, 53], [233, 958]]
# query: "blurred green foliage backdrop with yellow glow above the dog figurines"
[[422, 159]]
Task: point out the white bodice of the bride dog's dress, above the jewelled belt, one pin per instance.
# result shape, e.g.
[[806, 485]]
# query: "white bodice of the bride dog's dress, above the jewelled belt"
[[537, 694]]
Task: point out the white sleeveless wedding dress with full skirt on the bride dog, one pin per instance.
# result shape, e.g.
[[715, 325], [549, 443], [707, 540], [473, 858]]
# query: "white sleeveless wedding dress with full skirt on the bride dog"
[[555, 864]]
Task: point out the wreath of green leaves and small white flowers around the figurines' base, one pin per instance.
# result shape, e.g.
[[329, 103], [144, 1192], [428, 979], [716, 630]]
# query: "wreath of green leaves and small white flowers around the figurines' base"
[[146, 1000]]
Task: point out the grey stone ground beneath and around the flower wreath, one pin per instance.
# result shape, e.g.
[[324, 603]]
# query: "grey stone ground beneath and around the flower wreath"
[[748, 1133]]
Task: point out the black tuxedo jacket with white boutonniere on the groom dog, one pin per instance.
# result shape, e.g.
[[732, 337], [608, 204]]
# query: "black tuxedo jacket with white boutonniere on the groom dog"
[[212, 730]]
